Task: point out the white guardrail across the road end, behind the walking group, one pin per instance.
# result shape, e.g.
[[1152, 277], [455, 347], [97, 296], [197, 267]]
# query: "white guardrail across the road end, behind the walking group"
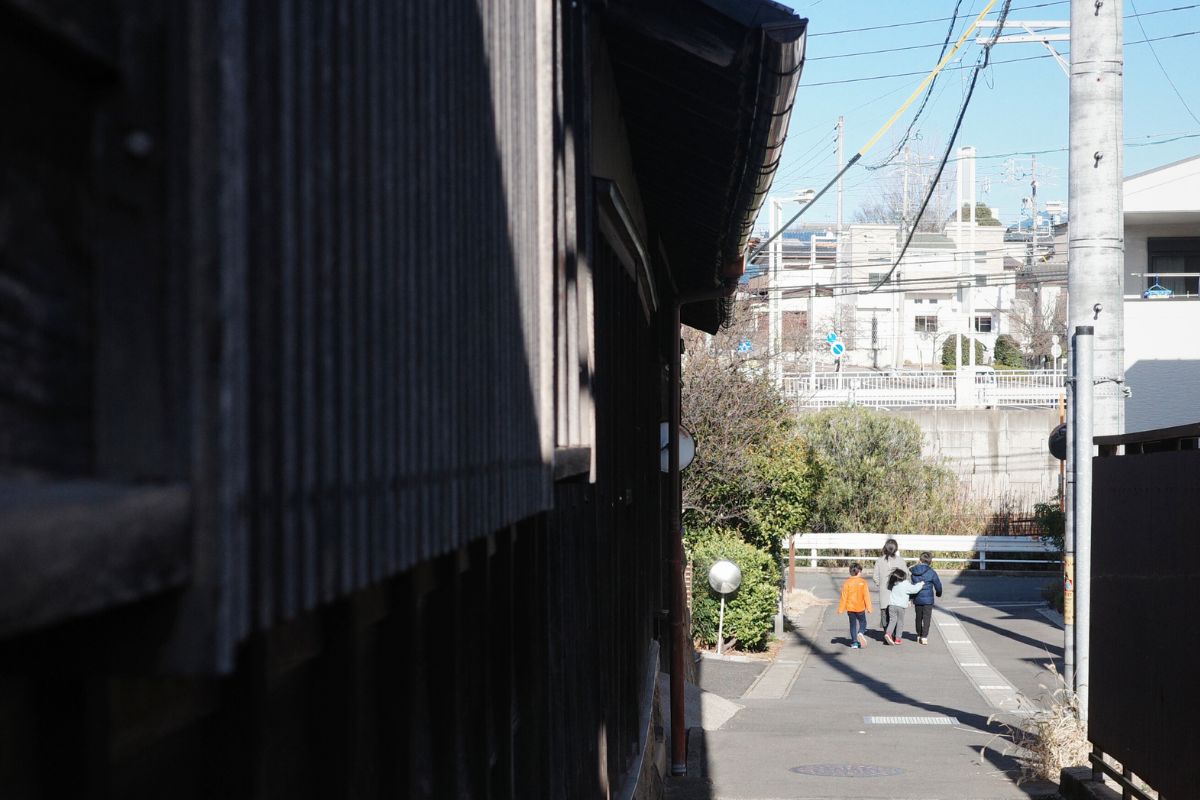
[[814, 549]]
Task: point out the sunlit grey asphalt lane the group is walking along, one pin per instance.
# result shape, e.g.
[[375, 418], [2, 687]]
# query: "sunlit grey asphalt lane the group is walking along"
[[897, 723]]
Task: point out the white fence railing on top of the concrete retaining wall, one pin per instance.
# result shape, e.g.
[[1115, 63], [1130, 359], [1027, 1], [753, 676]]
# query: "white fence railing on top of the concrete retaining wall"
[[927, 388]]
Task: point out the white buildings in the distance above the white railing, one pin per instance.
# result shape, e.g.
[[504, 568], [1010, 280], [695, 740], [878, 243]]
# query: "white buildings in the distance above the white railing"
[[939, 290]]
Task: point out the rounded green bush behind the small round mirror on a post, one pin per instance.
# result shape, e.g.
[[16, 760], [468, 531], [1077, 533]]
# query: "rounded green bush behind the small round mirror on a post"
[[751, 611]]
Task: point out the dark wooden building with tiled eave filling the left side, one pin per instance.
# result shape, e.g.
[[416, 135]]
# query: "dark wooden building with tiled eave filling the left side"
[[334, 346]]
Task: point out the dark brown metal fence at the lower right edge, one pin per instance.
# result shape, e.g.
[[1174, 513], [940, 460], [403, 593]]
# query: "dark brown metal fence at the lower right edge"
[[1145, 561]]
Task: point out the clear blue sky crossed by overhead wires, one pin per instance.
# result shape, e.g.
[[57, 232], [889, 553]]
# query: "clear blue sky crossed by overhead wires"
[[1018, 107]]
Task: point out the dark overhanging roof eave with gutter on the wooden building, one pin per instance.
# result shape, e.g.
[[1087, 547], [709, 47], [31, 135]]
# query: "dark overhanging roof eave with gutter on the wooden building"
[[706, 91]]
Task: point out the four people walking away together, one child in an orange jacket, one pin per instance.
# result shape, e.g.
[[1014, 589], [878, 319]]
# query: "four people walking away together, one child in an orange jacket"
[[899, 588]]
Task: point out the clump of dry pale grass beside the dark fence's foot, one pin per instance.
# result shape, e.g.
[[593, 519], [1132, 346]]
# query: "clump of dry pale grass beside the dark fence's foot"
[[1053, 737]]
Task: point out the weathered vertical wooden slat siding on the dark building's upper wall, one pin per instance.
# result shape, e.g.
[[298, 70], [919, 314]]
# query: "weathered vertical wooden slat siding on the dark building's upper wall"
[[376, 263]]
